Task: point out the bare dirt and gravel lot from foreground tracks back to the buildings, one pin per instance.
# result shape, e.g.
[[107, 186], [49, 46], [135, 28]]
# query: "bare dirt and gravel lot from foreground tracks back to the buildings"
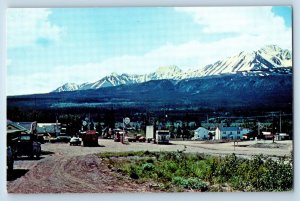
[[74, 169]]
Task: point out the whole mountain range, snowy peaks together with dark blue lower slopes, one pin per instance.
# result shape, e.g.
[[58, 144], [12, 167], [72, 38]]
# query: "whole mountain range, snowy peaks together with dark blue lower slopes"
[[259, 80]]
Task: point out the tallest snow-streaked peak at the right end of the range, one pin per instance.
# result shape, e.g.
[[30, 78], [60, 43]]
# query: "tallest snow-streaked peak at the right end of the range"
[[264, 61]]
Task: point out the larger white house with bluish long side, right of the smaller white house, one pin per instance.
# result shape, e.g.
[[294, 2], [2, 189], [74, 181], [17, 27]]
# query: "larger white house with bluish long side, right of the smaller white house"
[[230, 133]]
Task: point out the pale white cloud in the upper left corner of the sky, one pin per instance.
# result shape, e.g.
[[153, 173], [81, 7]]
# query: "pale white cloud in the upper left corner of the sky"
[[26, 25]]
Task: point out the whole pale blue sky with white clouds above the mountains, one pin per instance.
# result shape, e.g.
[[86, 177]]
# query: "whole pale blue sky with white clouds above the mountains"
[[47, 48]]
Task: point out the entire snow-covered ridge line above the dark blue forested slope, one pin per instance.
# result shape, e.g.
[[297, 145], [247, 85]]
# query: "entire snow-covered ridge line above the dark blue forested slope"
[[268, 60]]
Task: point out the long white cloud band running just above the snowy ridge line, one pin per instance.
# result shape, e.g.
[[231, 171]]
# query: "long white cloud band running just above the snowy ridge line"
[[188, 55]]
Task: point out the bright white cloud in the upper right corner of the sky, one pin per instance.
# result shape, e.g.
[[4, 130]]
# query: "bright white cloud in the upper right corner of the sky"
[[259, 23]]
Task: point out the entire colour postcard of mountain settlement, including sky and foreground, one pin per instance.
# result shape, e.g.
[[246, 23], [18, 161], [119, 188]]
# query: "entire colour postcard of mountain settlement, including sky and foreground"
[[149, 99]]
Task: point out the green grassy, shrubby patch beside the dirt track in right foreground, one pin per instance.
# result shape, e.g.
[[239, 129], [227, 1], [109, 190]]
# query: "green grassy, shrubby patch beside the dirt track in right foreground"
[[179, 171]]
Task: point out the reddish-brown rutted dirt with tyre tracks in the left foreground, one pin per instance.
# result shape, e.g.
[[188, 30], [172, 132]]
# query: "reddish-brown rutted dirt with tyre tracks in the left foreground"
[[79, 174]]
